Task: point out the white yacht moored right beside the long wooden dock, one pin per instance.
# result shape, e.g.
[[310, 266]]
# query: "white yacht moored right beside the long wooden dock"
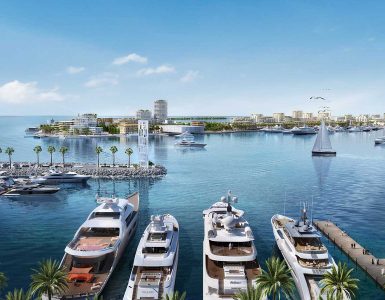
[[306, 255]]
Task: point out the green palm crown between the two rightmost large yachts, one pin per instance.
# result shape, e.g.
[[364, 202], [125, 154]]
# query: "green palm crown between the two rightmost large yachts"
[[276, 279]]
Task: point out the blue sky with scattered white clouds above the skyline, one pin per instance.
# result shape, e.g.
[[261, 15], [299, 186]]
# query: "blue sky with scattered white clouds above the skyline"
[[216, 57]]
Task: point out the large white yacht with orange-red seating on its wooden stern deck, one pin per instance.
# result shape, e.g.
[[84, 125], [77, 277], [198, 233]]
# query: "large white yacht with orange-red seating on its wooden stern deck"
[[92, 255]]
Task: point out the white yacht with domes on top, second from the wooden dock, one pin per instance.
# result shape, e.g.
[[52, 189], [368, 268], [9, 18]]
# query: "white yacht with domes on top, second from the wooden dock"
[[230, 262]]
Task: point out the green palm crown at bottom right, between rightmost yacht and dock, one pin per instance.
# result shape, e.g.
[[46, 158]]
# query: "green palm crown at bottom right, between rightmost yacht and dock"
[[338, 283]]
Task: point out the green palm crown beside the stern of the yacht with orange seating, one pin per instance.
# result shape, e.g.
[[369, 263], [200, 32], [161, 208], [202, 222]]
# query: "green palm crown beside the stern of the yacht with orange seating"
[[49, 279]]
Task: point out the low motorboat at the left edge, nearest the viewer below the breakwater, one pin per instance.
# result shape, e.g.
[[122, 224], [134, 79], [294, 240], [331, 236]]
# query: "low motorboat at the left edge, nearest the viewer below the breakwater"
[[20, 188]]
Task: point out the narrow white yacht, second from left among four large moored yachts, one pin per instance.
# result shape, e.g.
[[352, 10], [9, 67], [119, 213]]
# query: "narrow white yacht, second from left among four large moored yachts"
[[156, 260]]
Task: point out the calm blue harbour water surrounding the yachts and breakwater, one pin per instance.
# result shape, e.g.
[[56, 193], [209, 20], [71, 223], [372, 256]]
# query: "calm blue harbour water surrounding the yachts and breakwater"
[[259, 168]]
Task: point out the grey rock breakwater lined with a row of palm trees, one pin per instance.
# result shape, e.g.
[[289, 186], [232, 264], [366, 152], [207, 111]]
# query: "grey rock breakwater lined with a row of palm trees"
[[103, 171]]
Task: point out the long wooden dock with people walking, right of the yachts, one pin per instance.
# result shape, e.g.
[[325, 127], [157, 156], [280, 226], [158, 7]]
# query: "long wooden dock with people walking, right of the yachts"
[[357, 253]]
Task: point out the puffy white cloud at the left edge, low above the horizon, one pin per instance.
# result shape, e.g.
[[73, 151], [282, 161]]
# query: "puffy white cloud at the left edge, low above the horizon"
[[16, 92]]
